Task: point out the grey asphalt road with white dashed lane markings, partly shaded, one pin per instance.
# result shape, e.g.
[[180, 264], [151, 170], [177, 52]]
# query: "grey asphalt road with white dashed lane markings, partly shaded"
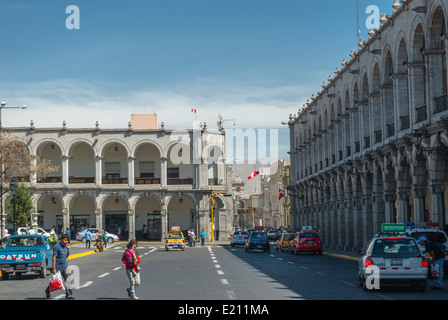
[[214, 272]]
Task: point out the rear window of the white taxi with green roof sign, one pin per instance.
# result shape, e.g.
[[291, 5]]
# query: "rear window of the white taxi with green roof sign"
[[396, 248]]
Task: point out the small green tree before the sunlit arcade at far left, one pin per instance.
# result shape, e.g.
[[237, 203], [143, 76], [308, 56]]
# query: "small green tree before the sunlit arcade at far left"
[[24, 206]]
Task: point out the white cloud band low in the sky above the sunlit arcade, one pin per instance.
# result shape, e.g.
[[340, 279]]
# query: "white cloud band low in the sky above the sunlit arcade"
[[82, 104]]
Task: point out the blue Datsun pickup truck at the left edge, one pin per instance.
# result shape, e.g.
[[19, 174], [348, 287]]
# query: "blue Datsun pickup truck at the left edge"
[[26, 253]]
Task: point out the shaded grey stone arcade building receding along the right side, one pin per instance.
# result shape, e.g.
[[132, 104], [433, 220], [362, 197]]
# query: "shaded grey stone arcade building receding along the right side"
[[372, 145]]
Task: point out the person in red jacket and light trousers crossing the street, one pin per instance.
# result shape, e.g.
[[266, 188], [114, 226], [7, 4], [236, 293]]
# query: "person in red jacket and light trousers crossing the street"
[[131, 259]]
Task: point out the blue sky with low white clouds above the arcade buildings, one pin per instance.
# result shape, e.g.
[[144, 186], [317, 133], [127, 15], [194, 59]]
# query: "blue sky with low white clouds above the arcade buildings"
[[252, 61]]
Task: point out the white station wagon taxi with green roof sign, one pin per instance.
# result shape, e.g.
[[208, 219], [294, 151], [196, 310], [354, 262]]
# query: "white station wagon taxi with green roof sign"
[[393, 258]]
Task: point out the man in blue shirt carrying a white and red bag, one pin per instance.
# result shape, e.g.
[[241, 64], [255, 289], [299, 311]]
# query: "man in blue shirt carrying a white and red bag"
[[61, 252]]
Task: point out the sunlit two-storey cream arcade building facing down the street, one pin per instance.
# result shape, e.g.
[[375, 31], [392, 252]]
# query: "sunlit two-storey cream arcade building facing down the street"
[[128, 178]]
